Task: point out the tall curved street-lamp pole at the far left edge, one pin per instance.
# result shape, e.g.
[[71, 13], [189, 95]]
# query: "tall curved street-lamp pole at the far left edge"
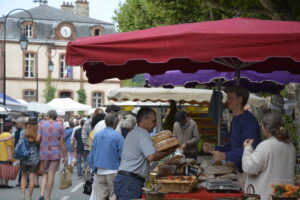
[[4, 51]]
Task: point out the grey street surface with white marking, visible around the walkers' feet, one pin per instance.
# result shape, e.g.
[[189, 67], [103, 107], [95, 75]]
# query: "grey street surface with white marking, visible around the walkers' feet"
[[74, 192]]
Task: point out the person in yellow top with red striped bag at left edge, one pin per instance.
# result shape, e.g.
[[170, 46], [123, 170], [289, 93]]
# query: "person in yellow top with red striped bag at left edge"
[[6, 157]]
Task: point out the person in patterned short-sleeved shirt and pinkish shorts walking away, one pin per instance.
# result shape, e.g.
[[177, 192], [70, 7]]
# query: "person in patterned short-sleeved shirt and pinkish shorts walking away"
[[52, 149]]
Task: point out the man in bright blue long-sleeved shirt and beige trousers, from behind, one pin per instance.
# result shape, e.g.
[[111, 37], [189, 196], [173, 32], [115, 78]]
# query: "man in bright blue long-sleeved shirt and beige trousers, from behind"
[[106, 156]]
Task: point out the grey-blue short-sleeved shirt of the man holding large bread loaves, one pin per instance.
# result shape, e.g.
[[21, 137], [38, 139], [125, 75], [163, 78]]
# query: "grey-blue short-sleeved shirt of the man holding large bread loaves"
[[137, 147]]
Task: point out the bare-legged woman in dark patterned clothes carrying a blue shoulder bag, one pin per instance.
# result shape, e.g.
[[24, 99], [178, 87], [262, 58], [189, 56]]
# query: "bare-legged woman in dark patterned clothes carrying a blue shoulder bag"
[[30, 165]]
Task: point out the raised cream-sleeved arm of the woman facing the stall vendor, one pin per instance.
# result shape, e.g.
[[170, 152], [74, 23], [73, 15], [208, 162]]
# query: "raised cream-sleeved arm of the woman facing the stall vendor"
[[253, 162]]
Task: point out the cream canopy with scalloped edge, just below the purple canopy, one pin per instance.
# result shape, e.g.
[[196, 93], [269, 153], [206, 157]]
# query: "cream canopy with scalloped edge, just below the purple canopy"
[[178, 94]]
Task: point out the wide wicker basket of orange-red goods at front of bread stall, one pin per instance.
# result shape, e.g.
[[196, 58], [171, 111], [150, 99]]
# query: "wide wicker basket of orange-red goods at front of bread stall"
[[176, 186]]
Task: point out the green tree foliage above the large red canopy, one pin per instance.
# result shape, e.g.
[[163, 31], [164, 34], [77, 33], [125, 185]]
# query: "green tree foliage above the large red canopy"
[[142, 14]]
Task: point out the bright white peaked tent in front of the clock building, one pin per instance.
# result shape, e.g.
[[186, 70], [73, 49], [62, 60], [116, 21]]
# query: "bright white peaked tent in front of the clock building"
[[68, 105]]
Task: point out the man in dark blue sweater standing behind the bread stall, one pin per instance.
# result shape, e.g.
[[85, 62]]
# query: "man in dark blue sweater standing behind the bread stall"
[[243, 126]]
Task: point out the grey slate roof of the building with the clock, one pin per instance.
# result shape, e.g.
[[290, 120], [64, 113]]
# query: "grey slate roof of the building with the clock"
[[47, 18]]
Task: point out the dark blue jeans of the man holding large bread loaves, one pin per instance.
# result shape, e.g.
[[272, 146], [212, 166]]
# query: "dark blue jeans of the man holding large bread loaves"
[[127, 187]]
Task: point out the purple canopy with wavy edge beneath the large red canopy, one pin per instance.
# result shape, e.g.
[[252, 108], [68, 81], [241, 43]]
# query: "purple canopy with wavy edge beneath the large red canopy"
[[253, 81]]
